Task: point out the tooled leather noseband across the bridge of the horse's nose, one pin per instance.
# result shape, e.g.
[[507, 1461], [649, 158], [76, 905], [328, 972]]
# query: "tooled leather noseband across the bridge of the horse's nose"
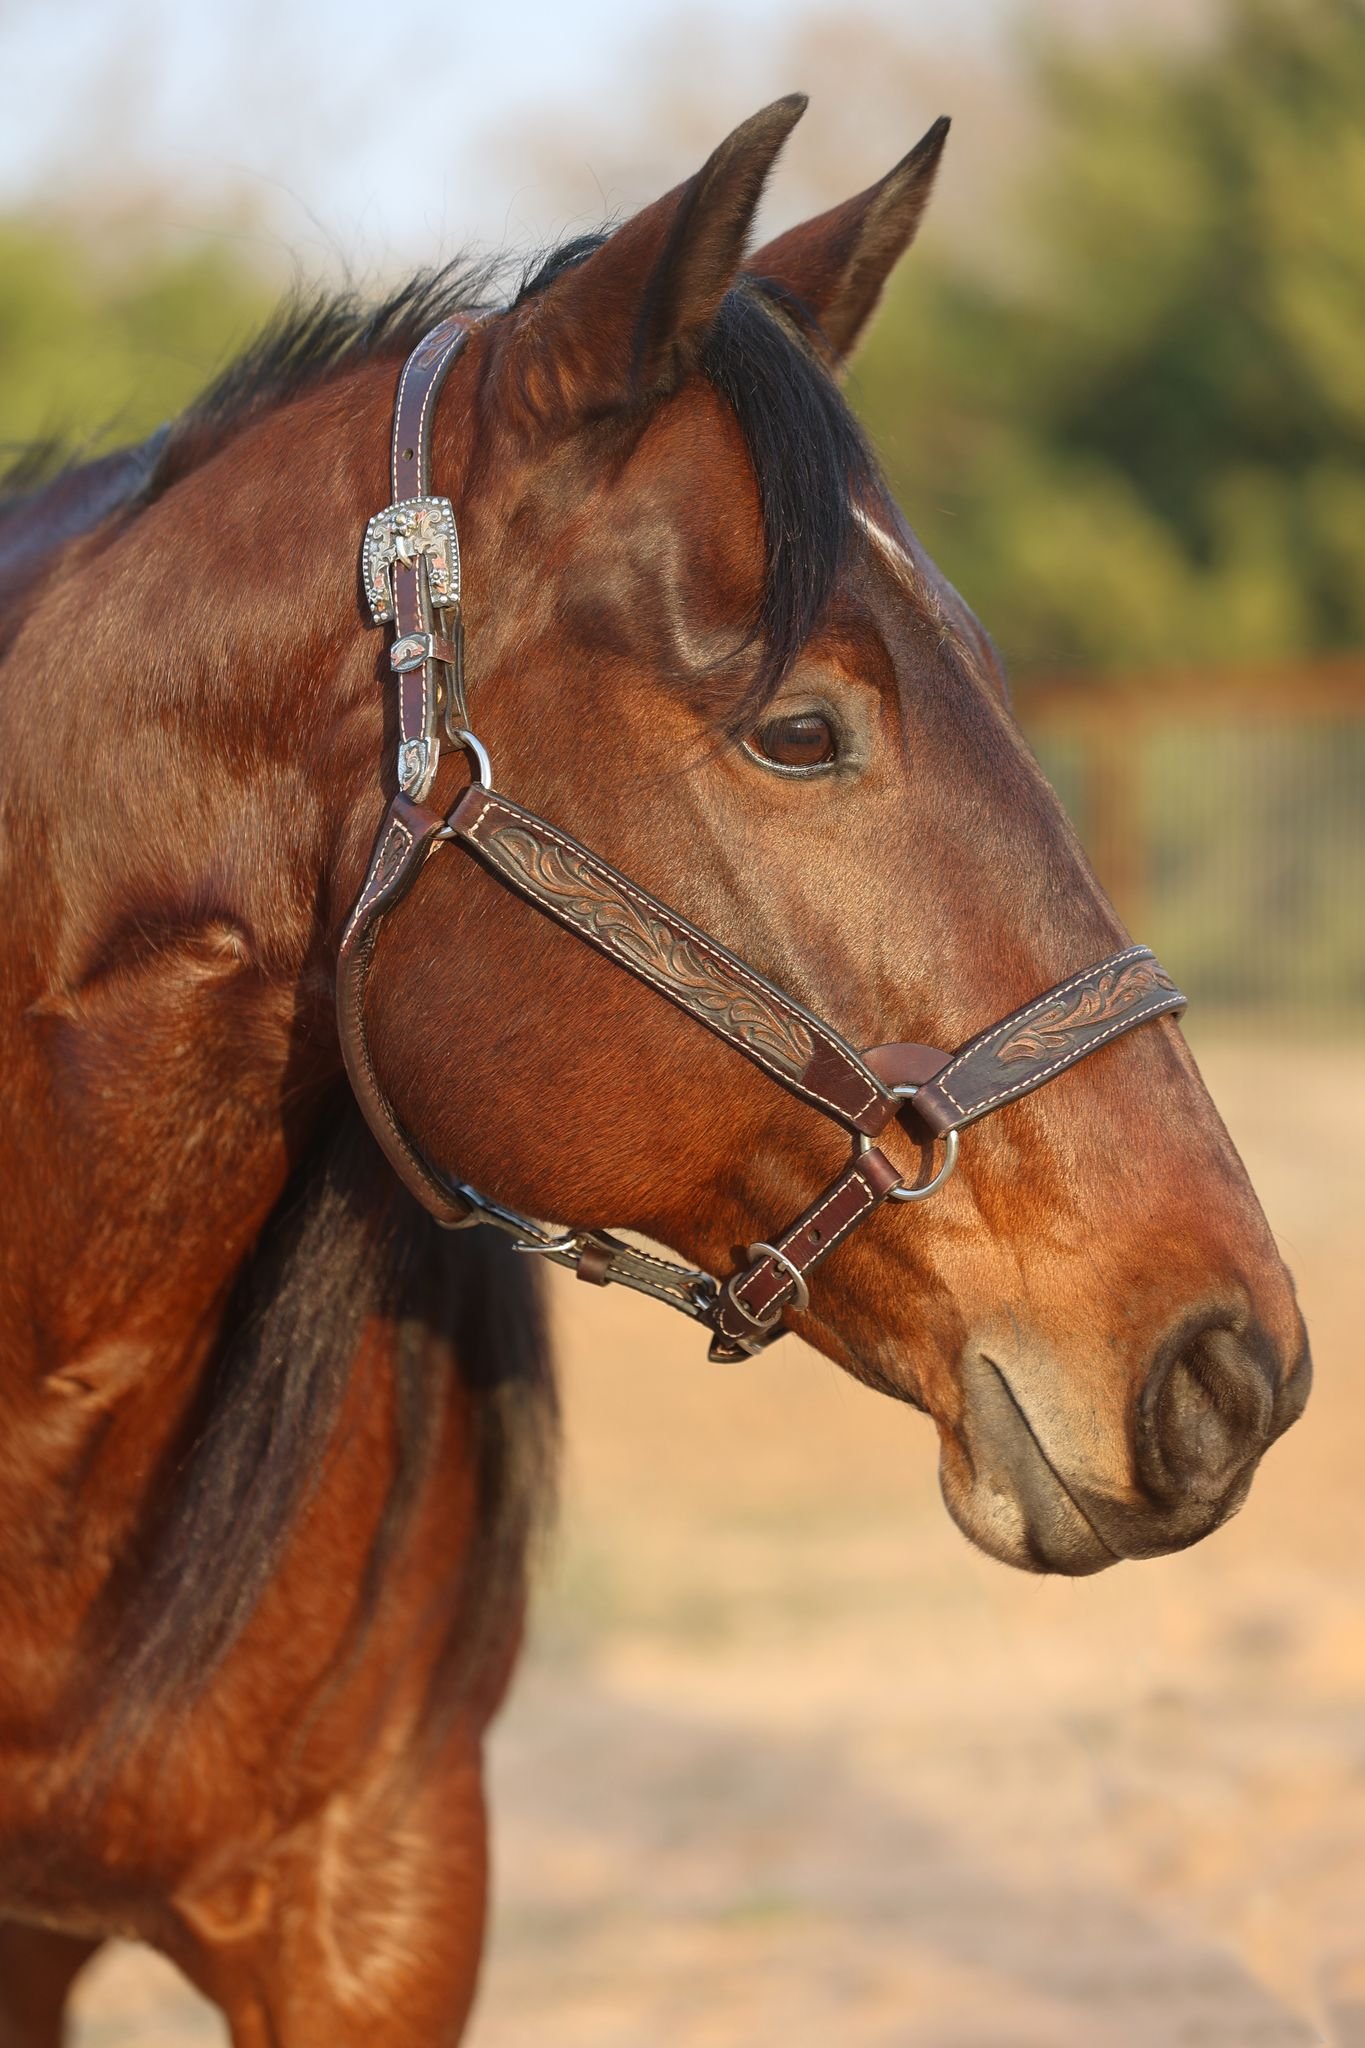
[[1047, 1037]]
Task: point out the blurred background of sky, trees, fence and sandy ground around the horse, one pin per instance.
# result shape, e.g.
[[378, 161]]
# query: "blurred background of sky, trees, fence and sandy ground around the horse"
[[789, 1762]]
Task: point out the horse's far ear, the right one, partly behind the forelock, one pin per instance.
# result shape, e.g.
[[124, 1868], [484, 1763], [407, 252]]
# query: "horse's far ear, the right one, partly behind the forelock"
[[838, 263]]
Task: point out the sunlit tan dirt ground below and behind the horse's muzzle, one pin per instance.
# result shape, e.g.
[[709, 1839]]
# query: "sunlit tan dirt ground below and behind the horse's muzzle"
[[791, 1764]]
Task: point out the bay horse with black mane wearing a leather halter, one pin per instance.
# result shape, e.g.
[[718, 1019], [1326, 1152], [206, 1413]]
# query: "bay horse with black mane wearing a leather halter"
[[273, 1441]]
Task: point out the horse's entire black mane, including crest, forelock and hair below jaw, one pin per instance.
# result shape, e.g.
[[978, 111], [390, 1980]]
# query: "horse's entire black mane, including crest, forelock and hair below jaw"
[[347, 1244]]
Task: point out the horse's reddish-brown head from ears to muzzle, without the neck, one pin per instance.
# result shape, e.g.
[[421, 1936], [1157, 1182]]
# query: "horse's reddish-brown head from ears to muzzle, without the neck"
[[705, 642]]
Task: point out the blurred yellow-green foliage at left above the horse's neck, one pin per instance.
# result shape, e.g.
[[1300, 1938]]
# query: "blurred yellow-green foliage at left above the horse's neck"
[[97, 351]]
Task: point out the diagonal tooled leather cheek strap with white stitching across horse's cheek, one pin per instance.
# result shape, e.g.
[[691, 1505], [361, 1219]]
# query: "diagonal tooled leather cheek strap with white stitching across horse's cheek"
[[672, 955]]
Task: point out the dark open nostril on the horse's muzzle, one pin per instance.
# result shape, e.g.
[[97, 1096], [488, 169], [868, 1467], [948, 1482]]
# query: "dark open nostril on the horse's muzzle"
[[1206, 1412]]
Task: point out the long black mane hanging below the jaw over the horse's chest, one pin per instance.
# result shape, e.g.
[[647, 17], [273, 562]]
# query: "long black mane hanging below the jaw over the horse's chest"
[[347, 1248]]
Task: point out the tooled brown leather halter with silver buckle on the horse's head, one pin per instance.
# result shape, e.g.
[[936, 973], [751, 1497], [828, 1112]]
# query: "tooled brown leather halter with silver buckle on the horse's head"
[[412, 581]]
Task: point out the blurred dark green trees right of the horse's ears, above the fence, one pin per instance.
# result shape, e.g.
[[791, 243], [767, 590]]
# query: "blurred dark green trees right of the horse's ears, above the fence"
[[1151, 443]]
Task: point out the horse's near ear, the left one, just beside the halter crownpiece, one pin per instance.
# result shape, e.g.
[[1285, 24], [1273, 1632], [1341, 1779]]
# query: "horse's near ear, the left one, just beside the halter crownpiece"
[[625, 323]]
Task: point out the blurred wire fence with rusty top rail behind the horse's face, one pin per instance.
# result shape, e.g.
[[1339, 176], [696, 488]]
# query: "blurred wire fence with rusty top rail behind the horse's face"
[[1227, 818]]
